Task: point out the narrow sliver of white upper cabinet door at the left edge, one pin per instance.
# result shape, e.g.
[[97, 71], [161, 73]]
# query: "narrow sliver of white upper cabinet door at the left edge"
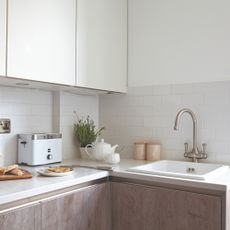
[[2, 37]]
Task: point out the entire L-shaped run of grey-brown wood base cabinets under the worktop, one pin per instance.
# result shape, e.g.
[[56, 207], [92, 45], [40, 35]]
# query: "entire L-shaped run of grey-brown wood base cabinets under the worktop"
[[120, 206]]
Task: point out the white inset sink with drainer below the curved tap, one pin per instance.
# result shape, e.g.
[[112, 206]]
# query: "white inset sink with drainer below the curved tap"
[[181, 169]]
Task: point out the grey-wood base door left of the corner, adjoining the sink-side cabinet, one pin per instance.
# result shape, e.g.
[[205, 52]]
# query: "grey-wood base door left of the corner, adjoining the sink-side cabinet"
[[85, 209]]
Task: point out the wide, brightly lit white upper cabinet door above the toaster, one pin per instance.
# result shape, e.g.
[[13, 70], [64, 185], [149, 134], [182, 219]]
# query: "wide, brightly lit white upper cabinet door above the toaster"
[[41, 40]]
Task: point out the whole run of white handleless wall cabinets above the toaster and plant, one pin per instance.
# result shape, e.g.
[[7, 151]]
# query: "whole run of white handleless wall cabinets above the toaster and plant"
[[49, 39]]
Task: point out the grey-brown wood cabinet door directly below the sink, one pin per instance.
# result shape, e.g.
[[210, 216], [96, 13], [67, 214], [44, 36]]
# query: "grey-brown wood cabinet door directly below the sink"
[[138, 207]]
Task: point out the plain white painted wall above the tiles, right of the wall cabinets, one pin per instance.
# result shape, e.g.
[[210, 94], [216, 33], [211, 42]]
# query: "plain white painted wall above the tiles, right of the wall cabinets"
[[178, 41]]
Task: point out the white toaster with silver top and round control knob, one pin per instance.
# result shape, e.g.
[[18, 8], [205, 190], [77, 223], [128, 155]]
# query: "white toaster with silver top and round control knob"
[[39, 148]]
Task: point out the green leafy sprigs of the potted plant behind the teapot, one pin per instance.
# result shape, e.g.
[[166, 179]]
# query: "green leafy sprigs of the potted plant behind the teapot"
[[86, 131]]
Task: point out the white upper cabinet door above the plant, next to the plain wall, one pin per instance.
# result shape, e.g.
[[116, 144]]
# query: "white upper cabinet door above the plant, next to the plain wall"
[[102, 44]]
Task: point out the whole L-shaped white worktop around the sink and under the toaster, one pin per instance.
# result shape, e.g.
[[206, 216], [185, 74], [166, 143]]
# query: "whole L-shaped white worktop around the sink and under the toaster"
[[14, 190]]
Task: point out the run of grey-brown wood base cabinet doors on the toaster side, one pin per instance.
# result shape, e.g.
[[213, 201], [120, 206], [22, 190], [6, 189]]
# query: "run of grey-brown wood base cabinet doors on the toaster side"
[[84, 209]]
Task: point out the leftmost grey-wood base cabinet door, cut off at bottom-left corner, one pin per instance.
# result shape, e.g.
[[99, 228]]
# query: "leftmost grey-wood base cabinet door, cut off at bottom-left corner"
[[26, 218]]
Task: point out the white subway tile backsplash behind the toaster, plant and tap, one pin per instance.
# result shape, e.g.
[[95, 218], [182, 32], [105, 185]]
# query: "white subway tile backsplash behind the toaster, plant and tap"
[[144, 113]]
